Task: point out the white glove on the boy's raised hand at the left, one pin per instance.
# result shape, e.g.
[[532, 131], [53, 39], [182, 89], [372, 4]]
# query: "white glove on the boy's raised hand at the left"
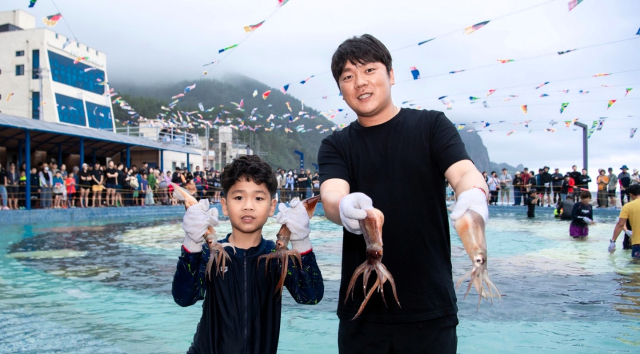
[[195, 224]]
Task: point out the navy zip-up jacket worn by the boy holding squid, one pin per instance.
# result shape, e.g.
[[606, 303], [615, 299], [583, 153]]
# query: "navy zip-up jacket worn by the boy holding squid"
[[241, 312]]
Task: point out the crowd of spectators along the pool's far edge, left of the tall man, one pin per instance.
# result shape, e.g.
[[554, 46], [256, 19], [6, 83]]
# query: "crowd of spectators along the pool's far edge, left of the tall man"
[[115, 185]]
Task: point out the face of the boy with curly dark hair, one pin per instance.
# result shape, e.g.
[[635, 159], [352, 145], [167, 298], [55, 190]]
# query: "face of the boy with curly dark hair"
[[248, 205]]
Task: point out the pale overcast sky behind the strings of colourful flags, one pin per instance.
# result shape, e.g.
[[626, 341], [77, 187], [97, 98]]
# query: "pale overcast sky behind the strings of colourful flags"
[[150, 41]]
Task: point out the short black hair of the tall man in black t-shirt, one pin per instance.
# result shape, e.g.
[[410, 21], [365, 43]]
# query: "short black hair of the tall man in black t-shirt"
[[359, 50]]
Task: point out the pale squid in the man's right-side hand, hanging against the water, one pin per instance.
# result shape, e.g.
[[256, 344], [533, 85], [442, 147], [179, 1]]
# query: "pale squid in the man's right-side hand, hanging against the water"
[[470, 228]]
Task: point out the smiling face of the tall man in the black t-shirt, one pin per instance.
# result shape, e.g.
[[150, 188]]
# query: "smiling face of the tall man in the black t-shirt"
[[366, 88]]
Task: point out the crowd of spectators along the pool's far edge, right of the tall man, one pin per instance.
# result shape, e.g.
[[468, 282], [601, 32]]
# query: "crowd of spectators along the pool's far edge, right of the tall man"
[[551, 188]]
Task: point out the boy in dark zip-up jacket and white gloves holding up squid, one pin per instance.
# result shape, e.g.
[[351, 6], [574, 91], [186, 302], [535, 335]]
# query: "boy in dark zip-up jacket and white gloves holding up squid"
[[241, 309]]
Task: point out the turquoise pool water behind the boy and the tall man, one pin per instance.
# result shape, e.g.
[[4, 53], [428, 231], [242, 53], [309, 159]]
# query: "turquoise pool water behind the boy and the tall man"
[[104, 287]]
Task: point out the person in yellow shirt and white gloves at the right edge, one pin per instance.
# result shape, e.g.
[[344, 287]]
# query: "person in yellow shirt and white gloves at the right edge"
[[630, 212]]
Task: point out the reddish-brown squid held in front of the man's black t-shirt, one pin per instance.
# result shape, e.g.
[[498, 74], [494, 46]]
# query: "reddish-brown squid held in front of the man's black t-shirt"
[[371, 228]]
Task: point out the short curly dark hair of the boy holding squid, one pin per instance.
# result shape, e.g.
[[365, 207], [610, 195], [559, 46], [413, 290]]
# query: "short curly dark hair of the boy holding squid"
[[250, 168]]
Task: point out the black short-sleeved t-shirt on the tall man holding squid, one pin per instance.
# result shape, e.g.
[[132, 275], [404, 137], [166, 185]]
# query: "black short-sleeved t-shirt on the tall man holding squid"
[[400, 164]]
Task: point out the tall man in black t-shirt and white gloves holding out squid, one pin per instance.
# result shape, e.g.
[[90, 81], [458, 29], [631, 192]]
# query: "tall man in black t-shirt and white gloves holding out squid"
[[396, 160]]
